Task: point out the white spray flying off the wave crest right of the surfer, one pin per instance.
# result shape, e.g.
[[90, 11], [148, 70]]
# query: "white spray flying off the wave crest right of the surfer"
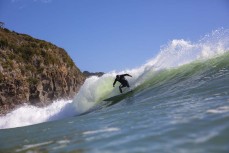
[[180, 52]]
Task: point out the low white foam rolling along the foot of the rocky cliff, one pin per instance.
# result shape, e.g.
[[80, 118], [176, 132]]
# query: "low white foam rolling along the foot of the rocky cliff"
[[28, 115]]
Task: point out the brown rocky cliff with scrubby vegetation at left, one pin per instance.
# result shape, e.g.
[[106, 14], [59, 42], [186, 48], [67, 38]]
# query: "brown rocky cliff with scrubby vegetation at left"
[[34, 71]]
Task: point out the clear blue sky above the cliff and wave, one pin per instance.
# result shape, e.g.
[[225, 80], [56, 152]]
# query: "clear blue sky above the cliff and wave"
[[107, 35]]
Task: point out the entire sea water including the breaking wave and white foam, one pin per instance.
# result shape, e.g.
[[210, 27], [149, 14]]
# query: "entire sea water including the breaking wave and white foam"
[[180, 104]]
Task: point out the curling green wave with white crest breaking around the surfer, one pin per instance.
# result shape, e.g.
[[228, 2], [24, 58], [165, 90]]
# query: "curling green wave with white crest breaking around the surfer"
[[159, 69]]
